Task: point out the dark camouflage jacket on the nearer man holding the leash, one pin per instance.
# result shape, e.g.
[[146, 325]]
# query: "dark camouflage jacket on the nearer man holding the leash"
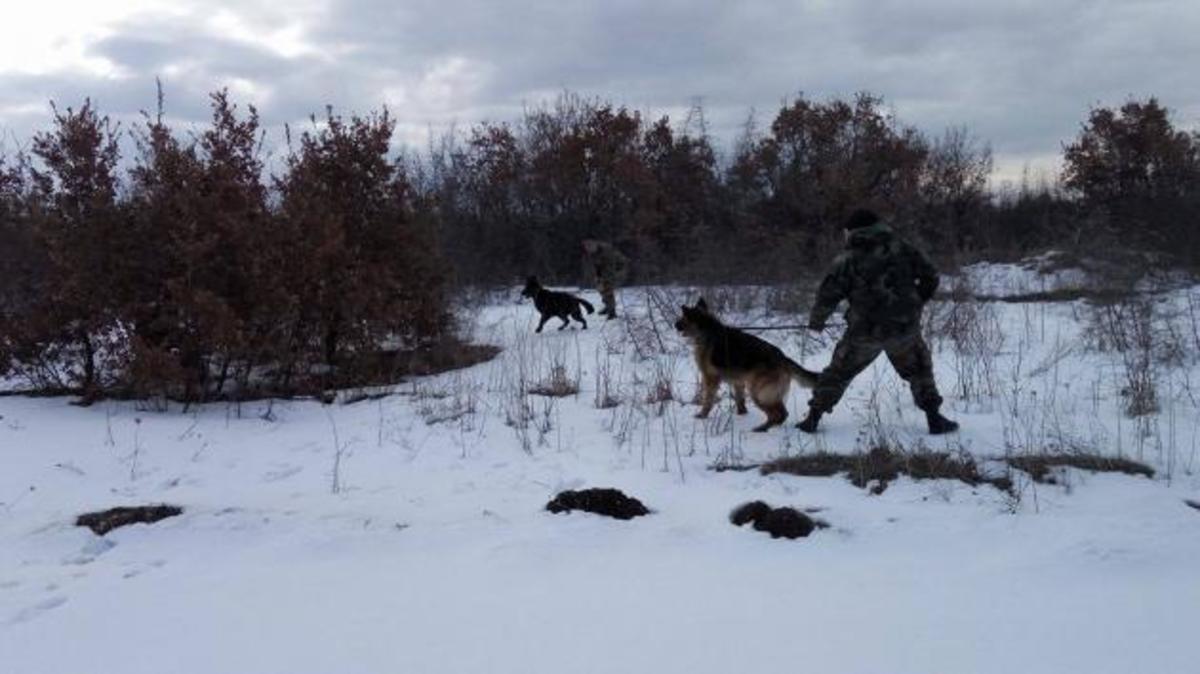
[[886, 280]]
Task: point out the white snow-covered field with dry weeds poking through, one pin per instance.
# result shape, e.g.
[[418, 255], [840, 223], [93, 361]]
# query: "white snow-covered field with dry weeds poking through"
[[407, 534]]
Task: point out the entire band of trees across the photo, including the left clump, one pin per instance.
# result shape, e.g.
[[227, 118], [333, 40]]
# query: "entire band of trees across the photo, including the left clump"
[[187, 272]]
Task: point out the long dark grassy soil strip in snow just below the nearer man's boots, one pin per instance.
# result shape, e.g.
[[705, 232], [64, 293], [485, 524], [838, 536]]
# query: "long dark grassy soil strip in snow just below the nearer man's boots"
[[878, 468]]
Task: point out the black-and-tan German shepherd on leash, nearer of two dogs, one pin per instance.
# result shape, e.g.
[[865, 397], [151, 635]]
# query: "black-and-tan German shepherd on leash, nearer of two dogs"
[[743, 362]]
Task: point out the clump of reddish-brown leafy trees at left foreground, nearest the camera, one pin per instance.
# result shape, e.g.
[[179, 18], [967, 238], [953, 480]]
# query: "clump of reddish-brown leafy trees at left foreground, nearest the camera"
[[194, 276]]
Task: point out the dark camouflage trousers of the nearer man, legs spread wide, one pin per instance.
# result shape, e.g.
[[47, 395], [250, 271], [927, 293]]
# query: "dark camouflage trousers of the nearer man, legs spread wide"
[[856, 351]]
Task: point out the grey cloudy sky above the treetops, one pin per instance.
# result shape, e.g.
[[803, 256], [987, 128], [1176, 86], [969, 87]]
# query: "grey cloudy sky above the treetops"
[[1019, 74]]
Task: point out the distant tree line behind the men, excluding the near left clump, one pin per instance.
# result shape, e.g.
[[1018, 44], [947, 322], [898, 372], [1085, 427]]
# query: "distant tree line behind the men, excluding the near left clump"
[[519, 196]]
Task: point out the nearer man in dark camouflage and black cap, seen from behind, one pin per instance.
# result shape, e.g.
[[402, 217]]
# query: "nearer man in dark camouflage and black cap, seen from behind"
[[887, 284]]
